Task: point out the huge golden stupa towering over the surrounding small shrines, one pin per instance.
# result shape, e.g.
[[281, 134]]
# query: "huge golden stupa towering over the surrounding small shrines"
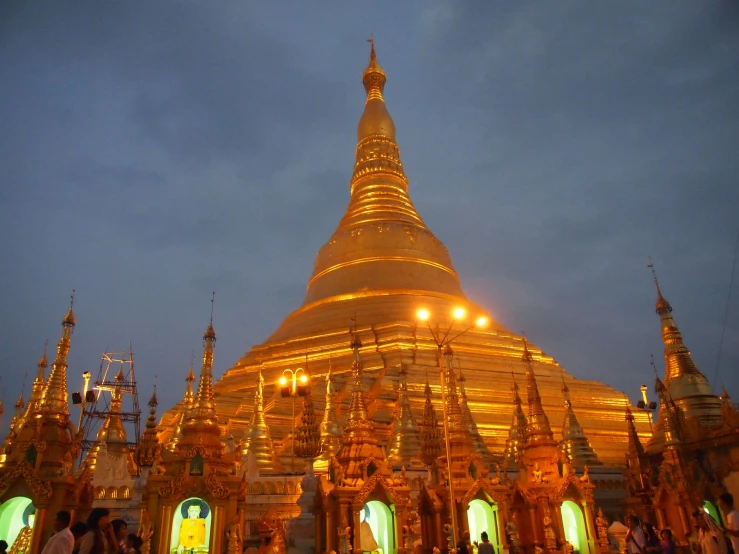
[[378, 268]]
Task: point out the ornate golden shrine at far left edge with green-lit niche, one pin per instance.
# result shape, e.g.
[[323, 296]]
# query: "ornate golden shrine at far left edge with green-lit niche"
[[37, 461]]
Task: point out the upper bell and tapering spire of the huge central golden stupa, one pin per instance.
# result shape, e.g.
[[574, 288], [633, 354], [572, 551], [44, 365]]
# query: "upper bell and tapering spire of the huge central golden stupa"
[[400, 246]]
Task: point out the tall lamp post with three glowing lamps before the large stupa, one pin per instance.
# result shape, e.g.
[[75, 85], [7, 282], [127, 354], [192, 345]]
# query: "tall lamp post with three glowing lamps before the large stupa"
[[443, 342]]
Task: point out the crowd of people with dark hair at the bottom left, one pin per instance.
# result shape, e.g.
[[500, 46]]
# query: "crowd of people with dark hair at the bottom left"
[[98, 535]]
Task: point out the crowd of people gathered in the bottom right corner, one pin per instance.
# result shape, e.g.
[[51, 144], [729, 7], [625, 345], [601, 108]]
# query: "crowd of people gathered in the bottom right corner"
[[709, 537]]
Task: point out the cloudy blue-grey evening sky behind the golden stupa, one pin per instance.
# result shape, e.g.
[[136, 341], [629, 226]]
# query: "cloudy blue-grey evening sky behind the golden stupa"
[[151, 152]]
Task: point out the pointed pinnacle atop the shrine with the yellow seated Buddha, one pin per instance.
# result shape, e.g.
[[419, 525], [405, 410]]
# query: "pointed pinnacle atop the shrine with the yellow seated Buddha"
[[202, 421]]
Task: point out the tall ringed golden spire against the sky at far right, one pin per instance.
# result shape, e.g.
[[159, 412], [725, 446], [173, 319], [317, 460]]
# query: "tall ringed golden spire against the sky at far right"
[[687, 386]]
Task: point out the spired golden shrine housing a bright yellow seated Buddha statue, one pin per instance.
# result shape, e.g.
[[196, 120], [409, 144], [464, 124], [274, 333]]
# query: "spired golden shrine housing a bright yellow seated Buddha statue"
[[193, 493]]
